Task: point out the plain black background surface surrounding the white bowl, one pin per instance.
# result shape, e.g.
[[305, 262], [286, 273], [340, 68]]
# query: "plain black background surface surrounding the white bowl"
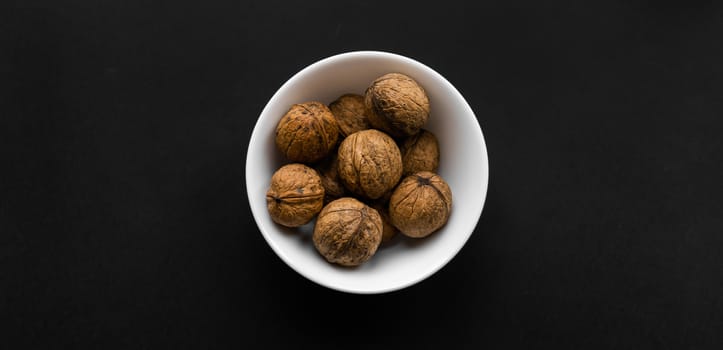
[[124, 221]]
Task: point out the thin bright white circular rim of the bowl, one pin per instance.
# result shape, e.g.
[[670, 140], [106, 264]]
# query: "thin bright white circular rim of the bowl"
[[255, 135]]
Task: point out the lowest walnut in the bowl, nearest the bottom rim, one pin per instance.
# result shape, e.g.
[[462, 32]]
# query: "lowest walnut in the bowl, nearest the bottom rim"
[[347, 232]]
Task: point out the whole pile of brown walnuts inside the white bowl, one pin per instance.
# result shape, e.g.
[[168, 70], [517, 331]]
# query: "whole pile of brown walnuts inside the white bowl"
[[364, 167]]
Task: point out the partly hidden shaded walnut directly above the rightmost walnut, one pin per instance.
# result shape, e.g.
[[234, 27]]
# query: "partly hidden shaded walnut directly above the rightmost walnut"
[[420, 152]]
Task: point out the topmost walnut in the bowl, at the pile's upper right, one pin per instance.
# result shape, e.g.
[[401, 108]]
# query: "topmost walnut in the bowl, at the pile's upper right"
[[397, 104]]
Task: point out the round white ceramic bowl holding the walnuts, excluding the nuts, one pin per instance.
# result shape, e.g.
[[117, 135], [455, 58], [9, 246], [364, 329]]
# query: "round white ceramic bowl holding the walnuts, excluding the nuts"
[[463, 164]]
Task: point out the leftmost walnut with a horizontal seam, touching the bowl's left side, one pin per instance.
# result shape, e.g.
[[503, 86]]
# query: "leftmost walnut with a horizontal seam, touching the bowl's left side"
[[295, 195]]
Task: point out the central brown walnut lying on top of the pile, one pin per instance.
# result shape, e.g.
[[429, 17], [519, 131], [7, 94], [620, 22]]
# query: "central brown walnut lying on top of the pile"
[[370, 163]]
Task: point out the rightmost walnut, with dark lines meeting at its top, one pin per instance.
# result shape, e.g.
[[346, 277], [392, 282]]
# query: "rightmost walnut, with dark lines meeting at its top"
[[421, 204]]
